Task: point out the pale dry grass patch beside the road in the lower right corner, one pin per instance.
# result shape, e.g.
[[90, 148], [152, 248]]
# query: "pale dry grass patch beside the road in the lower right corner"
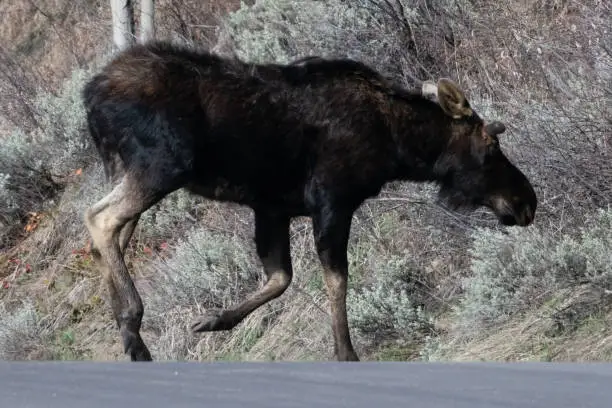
[[568, 328]]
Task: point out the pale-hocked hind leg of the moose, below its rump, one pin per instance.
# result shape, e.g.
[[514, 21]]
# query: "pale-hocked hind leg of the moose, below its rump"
[[110, 223]]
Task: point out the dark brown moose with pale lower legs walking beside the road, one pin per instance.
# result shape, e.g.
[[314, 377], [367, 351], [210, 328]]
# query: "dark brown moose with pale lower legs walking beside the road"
[[313, 139]]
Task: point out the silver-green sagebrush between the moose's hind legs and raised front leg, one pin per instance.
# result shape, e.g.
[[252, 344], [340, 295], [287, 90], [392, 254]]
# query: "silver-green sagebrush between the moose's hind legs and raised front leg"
[[207, 270]]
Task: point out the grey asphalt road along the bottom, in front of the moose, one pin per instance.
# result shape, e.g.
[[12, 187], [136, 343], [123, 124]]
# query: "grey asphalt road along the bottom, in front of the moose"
[[328, 384]]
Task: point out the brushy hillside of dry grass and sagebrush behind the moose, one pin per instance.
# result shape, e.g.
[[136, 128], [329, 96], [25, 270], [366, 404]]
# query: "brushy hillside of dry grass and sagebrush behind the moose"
[[426, 283]]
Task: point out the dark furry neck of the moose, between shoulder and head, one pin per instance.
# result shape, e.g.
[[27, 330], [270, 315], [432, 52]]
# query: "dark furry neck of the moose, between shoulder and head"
[[422, 134]]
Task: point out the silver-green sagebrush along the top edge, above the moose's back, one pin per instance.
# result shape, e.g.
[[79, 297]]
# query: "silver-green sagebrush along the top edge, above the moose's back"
[[381, 34]]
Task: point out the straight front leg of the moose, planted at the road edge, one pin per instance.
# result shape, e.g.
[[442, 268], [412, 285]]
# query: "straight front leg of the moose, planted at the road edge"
[[331, 229]]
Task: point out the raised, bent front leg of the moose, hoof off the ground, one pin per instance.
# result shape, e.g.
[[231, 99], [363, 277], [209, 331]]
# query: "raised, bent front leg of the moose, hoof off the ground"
[[272, 241]]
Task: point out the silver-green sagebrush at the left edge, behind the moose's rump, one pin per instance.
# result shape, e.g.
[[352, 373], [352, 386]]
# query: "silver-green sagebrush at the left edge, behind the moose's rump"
[[34, 164]]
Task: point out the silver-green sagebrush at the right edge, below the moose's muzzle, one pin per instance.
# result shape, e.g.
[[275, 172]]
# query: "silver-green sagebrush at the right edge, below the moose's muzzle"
[[522, 269]]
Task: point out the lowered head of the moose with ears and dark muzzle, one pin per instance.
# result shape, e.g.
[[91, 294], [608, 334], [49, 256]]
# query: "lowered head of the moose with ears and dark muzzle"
[[473, 169]]
